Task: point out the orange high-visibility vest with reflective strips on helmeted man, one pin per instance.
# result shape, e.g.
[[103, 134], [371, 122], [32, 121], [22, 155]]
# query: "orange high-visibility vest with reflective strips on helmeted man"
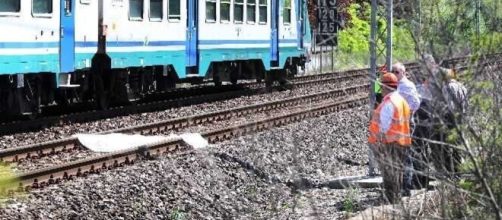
[[399, 131]]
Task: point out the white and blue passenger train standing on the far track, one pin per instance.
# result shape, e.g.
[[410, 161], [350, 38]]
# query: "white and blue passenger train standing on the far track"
[[106, 51]]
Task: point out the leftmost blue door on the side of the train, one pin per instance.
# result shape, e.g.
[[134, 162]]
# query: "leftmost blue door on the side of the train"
[[67, 36]]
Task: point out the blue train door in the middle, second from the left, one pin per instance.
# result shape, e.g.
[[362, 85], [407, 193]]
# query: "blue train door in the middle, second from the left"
[[192, 34]]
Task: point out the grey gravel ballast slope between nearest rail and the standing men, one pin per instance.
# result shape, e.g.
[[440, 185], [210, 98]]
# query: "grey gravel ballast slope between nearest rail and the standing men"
[[246, 178]]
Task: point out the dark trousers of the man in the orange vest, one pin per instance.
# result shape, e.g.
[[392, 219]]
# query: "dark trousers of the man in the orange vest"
[[390, 159]]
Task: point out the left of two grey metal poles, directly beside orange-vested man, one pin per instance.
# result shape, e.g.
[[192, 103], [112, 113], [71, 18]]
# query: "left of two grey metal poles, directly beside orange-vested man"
[[373, 57]]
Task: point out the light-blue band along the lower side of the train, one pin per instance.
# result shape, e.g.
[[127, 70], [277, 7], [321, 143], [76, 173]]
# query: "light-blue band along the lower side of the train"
[[50, 62]]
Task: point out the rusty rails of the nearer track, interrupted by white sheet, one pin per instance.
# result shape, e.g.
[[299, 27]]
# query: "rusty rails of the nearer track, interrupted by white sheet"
[[42, 177]]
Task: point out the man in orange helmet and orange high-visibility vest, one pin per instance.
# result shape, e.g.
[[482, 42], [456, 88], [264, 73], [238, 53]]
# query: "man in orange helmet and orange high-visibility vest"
[[390, 136]]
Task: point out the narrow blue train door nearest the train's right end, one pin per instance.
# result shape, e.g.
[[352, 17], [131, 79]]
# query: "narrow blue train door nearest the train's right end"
[[274, 22]]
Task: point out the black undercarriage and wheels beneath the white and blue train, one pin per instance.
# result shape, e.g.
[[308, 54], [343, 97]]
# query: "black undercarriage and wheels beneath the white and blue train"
[[26, 94]]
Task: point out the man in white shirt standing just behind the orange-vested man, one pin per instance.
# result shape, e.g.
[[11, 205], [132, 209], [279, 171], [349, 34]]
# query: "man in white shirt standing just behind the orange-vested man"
[[408, 91]]
